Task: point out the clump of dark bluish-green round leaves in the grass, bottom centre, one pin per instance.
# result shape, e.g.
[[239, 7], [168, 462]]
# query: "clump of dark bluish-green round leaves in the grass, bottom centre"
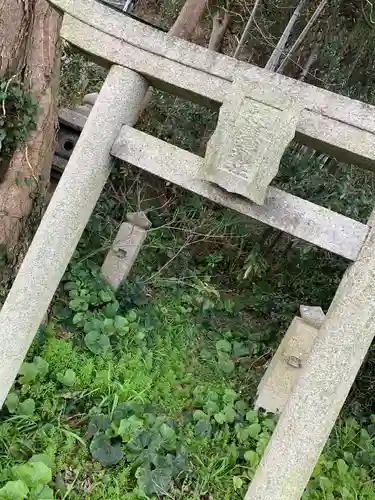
[[139, 435]]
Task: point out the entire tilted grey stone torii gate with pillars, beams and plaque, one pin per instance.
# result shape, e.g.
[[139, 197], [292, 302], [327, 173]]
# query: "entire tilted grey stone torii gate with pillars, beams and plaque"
[[260, 113]]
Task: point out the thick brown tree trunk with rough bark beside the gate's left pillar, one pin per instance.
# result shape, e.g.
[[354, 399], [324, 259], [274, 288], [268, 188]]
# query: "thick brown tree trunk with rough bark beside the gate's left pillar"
[[30, 49]]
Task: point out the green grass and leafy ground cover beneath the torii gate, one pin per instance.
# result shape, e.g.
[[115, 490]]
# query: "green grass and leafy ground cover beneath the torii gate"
[[173, 378]]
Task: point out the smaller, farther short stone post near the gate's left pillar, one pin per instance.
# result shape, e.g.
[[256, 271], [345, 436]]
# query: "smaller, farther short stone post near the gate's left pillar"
[[122, 255]]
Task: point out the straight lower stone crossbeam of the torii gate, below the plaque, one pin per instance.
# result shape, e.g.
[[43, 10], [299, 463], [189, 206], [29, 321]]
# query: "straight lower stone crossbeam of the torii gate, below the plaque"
[[281, 210]]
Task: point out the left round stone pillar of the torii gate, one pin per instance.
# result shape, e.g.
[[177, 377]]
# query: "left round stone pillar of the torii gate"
[[65, 219]]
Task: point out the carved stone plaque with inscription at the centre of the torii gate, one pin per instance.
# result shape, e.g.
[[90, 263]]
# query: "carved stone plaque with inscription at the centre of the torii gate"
[[256, 124]]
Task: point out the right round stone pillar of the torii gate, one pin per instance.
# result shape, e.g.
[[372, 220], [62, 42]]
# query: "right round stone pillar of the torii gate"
[[323, 385]]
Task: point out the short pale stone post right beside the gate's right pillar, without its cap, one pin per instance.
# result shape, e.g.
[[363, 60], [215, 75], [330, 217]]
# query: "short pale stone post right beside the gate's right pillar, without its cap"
[[286, 365]]
